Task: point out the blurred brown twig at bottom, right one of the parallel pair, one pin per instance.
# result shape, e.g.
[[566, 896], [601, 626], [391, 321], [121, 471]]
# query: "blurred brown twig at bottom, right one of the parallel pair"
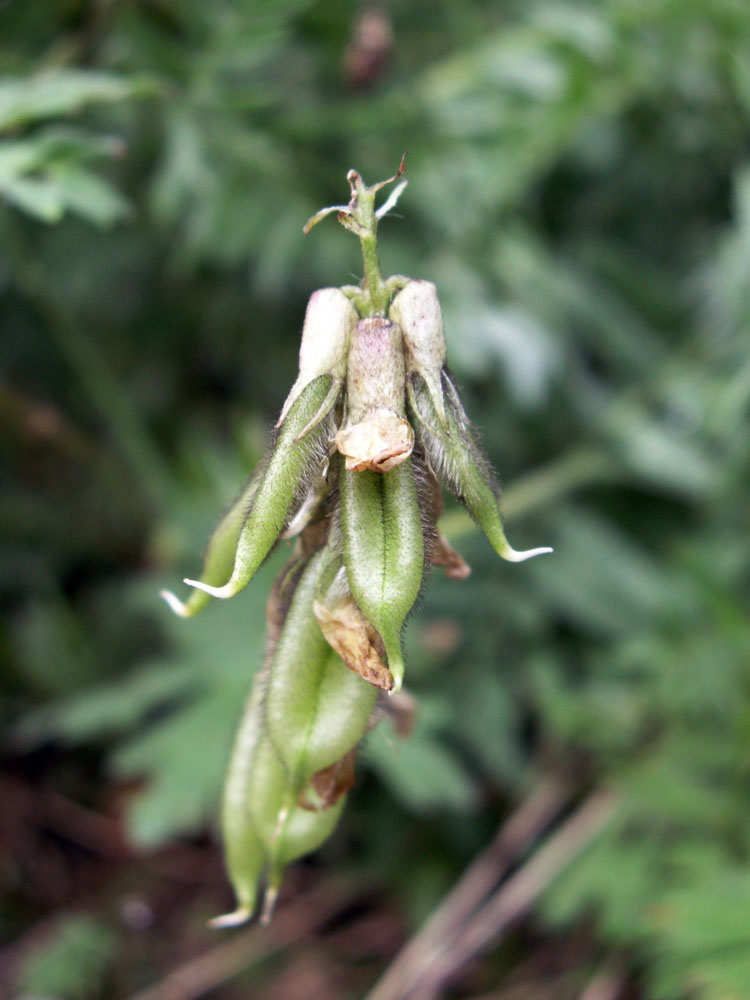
[[516, 896]]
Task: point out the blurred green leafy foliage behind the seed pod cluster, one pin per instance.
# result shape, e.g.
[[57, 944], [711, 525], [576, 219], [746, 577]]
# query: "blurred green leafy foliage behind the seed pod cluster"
[[580, 192]]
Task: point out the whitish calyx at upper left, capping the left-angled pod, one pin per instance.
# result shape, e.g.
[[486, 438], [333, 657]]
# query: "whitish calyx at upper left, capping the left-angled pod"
[[326, 334]]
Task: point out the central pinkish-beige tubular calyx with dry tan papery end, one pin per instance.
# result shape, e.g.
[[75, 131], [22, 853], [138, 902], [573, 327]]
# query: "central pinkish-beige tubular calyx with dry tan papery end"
[[376, 435]]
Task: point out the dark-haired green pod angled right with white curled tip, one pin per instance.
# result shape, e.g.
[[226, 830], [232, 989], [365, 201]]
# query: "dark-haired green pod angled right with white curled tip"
[[457, 457]]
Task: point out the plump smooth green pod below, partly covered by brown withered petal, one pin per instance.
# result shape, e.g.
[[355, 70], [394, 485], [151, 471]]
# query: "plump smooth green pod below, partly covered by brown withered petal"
[[316, 709]]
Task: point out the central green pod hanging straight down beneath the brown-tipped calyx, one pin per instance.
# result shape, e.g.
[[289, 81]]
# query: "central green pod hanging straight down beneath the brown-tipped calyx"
[[383, 551]]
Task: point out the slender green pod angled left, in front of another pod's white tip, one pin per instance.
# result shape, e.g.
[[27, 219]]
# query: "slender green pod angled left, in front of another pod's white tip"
[[293, 460]]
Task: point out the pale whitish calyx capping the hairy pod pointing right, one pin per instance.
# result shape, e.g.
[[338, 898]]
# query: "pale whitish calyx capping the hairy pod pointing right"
[[416, 309]]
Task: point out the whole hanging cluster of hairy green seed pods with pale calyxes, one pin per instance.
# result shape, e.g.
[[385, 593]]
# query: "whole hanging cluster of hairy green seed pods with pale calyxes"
[[372, 427]]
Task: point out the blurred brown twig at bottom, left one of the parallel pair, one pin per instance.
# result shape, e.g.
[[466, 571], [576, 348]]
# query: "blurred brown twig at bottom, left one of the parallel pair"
[[515, 834]]
